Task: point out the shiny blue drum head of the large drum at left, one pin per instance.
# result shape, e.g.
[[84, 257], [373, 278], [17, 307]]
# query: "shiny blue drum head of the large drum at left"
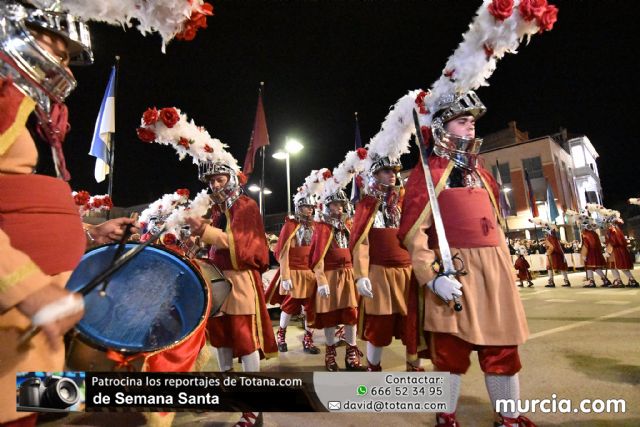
[[154, 301]]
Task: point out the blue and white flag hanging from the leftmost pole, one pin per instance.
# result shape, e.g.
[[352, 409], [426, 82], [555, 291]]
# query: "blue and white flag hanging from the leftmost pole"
[[105, 126]]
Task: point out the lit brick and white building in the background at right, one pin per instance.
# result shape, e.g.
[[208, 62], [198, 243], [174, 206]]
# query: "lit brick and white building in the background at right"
[[565, 165]]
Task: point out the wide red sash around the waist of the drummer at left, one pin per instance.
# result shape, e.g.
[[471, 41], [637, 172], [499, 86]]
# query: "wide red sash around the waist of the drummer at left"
[[39, 216]]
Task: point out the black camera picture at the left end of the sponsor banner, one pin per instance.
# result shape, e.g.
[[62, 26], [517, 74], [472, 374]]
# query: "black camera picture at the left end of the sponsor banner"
[[52, 392]]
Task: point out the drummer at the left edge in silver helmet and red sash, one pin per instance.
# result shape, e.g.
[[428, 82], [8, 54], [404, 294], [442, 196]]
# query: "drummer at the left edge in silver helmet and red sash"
[[41, 237]]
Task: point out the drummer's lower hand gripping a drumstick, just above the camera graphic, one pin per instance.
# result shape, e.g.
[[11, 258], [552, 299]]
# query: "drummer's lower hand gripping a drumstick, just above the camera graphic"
[[33, 303]]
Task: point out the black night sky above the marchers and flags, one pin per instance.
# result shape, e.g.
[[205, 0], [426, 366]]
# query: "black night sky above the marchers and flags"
[[323, 60]]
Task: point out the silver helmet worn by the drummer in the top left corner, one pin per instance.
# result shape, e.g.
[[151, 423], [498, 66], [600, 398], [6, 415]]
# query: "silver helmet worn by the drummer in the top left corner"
[[36, 72]]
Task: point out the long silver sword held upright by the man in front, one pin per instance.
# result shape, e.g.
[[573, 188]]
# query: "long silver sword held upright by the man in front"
[[447, 269]]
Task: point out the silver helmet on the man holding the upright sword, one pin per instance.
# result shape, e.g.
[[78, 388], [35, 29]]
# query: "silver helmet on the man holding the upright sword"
[[462, 151]]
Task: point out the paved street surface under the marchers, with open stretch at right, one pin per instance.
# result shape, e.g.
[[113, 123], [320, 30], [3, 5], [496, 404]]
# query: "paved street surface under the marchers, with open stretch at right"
[[583, 345]]
